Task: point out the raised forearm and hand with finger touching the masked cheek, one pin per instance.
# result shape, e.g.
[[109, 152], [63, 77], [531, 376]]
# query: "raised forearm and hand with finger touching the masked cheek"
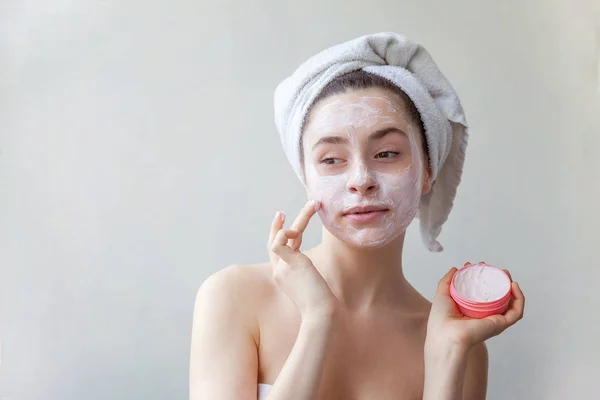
[[298, 278]]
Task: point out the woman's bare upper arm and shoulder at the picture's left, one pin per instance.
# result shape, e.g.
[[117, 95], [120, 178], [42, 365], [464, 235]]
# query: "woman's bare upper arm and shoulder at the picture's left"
[[224, 358]]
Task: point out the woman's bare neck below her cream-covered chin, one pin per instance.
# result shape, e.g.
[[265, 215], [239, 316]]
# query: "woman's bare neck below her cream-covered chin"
[[363, 278]]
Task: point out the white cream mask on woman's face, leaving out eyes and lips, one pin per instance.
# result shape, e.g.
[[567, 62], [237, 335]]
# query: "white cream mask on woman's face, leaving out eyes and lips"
[[399, 192]]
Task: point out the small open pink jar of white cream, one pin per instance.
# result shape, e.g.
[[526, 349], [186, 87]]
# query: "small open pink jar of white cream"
[[481, 290]]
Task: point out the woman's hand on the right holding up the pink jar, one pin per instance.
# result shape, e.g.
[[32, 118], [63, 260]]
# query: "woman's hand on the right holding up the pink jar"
[[448, 326]]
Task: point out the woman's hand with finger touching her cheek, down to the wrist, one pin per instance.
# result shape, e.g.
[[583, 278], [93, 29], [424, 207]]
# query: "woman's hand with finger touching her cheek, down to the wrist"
[[294, 272]]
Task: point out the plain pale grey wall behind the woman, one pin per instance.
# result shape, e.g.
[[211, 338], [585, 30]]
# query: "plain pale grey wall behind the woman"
[[138, 155]]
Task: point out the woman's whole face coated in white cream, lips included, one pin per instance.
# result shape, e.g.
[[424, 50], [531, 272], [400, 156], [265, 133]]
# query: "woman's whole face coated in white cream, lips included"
[[366, 201]]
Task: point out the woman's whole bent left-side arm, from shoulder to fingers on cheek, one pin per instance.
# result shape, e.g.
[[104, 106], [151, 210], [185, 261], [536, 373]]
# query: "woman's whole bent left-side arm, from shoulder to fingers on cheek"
[[224, 360]]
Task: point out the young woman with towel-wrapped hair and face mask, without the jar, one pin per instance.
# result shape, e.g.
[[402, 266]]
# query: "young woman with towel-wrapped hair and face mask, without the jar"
[[340, 321]]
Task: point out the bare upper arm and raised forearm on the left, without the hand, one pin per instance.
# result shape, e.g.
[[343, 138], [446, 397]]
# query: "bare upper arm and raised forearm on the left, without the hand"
[[224, 356]]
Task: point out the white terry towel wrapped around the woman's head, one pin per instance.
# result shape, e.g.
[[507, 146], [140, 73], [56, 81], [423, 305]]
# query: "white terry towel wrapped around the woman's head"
[[410, 67]]
